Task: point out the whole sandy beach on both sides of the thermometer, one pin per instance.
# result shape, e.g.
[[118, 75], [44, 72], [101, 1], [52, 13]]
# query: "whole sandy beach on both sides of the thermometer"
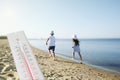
[[59, 69]]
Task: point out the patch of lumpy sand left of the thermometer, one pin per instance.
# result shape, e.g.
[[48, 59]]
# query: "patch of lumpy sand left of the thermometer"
[[7, 66]]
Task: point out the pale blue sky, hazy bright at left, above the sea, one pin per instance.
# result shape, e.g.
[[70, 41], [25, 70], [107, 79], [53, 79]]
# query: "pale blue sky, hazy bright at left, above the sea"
[[37, 18]]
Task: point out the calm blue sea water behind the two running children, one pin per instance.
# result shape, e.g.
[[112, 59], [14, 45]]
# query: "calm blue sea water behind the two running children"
[[103, 53]]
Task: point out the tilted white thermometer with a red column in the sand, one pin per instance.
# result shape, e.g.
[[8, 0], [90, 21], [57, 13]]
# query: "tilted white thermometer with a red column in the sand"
[[26, 64]]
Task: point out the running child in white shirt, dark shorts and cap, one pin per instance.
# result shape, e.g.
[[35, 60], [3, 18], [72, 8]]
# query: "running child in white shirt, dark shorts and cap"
[[51, 44]]
